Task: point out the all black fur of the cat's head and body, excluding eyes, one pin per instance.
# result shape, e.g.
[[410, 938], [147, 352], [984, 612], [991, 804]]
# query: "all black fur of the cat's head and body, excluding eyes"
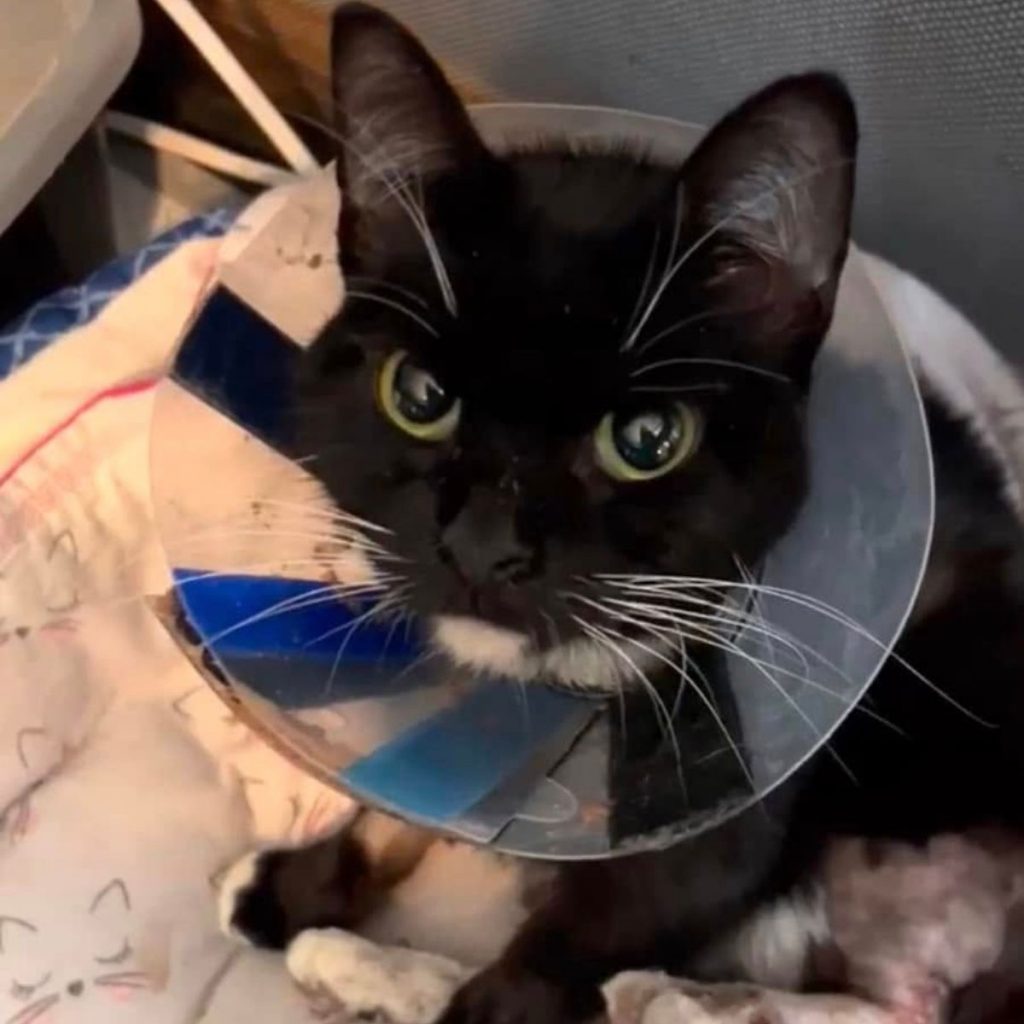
[[547, 252]]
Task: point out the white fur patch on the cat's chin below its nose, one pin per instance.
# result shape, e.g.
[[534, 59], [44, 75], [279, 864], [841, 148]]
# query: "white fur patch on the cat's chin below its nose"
[[582, 664]]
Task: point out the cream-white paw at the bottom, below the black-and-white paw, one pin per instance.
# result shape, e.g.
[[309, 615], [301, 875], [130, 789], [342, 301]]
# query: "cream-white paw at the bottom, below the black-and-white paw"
[[382, 984]]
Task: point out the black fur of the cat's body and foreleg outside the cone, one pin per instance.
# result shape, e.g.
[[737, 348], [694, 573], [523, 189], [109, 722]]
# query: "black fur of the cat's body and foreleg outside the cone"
[[942, 773]]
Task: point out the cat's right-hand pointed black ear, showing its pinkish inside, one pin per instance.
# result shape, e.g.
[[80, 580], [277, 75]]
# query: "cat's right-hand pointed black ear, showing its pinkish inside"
[[774, 184]]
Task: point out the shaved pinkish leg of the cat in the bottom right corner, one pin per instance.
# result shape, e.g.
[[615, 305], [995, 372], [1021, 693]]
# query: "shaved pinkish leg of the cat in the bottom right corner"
[[905, 927]]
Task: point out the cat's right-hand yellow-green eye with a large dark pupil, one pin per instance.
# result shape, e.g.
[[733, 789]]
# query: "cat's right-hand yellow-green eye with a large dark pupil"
[[642, 446]]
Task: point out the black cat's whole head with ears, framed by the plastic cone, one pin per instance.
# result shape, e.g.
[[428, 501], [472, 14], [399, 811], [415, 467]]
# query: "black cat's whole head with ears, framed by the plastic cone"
[[562, 373]]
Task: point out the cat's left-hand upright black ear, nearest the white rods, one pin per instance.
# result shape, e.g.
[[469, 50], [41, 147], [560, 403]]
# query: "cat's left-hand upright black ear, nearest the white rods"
[[398, 119]]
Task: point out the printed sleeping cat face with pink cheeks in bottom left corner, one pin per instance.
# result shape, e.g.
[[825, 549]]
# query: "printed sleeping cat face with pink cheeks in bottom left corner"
[[49, 974]]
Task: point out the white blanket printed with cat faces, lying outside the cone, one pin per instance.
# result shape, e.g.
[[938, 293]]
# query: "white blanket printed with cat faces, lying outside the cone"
[[127, 786]]
